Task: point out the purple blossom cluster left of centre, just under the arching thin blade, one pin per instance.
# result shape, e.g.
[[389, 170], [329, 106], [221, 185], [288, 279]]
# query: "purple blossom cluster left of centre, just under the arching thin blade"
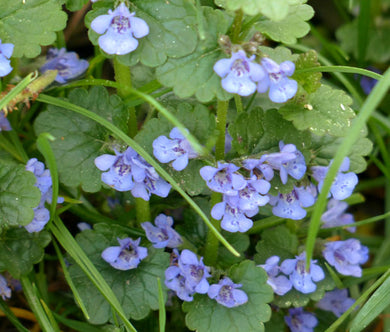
[[128, 171]]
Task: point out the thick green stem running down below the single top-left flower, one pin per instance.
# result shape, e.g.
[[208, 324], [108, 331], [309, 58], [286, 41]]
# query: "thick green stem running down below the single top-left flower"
[[123, 78]]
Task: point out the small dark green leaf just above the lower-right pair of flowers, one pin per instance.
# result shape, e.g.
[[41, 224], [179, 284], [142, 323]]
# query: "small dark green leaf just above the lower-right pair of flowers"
[[278, 241]]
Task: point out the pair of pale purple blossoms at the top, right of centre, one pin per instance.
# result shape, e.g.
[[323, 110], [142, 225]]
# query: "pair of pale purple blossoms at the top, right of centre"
[[243, 76]]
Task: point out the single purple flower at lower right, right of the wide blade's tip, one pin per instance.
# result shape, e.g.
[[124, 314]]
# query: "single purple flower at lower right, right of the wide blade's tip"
[[346, 256]]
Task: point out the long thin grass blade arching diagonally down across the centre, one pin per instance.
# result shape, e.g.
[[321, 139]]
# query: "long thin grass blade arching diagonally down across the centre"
[[126, 139]]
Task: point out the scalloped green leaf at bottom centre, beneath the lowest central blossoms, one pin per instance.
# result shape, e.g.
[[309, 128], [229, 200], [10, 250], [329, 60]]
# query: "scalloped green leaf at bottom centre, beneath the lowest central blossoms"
[[206, 315]]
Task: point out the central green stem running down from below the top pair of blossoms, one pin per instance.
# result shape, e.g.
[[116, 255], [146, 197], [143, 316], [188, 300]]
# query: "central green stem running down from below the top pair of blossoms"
[[211, 249]]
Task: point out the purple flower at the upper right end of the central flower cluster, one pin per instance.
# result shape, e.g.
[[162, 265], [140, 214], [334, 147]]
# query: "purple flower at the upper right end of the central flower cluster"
[[289, 161]]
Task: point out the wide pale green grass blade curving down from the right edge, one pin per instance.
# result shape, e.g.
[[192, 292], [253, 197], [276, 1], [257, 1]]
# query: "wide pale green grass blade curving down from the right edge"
[[368, 107]]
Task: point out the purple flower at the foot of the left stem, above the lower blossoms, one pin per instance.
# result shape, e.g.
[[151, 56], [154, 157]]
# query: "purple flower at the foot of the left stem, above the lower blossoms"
[[163, 235]]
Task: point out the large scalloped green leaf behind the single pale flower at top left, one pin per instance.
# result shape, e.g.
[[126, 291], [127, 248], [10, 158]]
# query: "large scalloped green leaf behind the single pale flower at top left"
[[172, 30]]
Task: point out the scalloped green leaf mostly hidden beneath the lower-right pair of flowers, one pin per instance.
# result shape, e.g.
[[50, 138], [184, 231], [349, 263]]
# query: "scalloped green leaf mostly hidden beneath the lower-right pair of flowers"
[[298, 299]]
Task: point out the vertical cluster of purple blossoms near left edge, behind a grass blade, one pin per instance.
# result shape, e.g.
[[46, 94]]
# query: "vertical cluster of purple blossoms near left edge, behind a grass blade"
[[44, 184]]
